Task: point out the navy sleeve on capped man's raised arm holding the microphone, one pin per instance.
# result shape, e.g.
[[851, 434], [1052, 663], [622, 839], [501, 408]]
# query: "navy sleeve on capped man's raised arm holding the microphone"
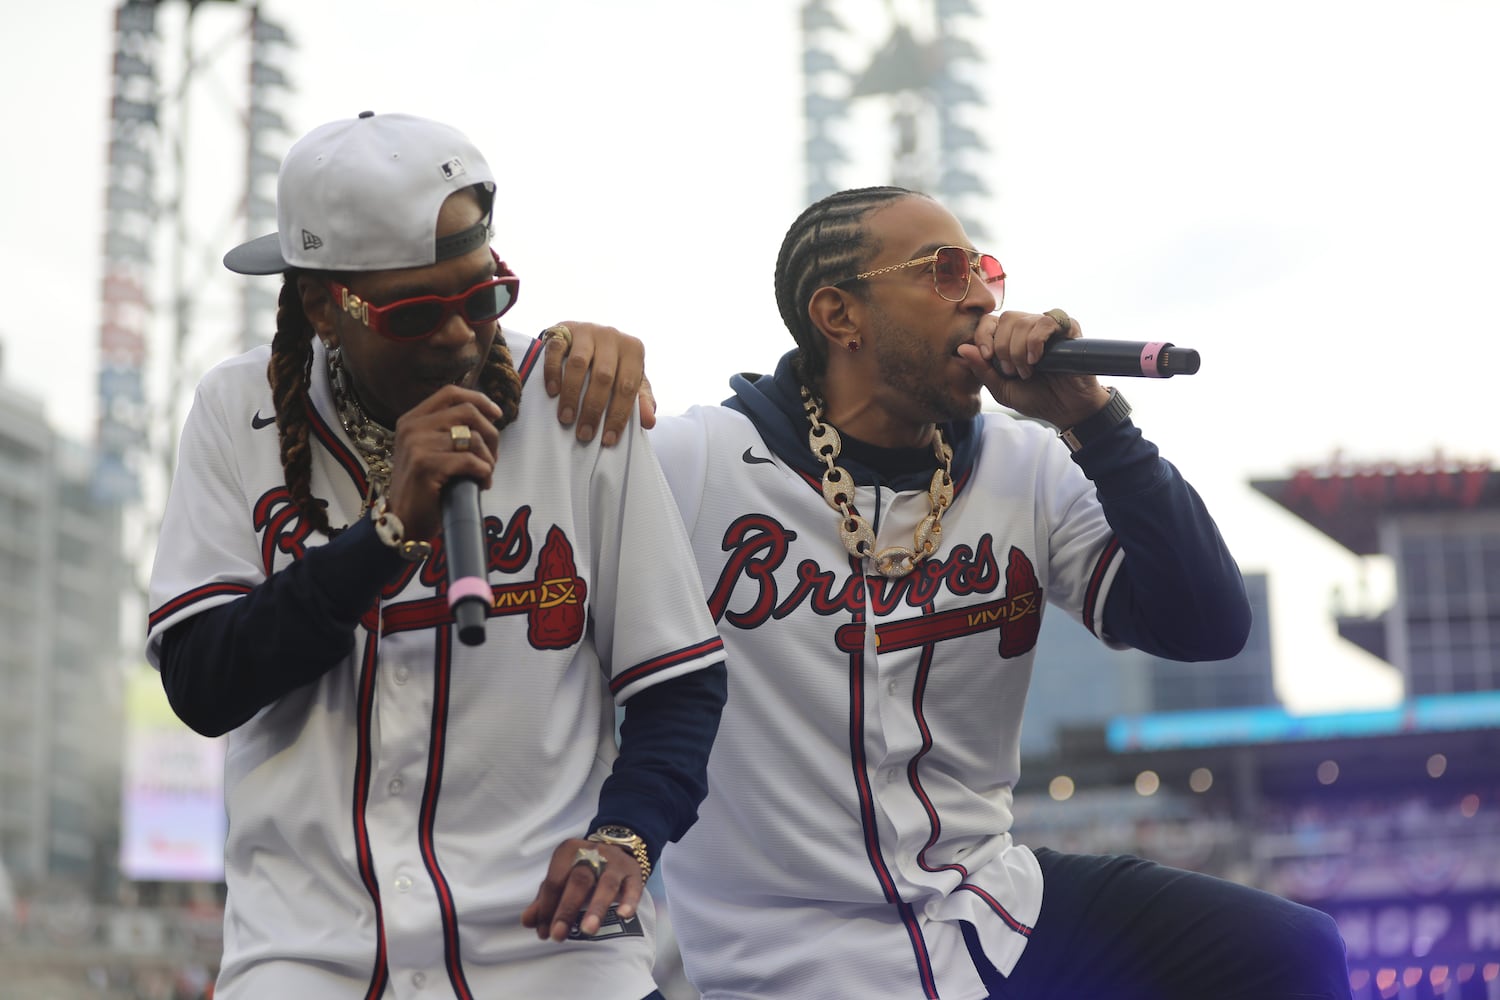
[[226, 665]]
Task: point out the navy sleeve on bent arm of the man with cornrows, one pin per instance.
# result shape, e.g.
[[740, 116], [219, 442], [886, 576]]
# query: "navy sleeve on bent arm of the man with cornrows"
[[1178, 593]]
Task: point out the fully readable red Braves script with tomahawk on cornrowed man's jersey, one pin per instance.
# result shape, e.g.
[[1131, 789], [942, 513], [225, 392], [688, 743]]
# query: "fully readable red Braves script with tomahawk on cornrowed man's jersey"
[[758, 546]]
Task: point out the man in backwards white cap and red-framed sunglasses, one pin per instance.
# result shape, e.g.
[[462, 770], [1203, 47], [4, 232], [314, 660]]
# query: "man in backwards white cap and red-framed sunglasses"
[[412, 816]]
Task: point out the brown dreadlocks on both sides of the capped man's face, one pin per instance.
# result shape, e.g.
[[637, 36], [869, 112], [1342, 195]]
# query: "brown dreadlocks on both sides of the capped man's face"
[[290, 376]]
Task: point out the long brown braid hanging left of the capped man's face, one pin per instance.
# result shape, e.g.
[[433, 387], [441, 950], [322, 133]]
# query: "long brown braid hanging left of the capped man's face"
[[290, 376]]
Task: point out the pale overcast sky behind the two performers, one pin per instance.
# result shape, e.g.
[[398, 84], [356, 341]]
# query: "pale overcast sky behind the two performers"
[[1304, 191]]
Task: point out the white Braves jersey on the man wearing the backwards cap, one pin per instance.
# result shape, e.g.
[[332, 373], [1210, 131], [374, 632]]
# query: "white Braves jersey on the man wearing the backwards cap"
[[389, 822]]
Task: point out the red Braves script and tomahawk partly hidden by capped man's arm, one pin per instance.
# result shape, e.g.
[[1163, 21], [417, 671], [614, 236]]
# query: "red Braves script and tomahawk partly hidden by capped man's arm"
[[554, 600]]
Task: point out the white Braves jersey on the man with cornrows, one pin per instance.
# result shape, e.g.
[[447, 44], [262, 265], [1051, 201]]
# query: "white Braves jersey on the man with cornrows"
[[860, 785]]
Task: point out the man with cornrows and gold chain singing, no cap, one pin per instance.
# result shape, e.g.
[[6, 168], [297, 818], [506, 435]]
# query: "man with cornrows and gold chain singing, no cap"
[[878, 555]]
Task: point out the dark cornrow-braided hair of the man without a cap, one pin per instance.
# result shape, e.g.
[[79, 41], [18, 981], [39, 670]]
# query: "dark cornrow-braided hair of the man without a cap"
[[826, 245]]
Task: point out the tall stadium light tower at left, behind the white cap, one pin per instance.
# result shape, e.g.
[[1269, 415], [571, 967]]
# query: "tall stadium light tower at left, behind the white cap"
[[151, 134]]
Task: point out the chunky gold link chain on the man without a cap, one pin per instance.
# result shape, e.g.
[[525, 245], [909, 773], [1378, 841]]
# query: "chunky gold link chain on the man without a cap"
[[854, 530]]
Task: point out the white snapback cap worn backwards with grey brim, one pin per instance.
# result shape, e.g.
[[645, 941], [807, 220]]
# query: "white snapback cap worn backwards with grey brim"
[[364, 196]]
